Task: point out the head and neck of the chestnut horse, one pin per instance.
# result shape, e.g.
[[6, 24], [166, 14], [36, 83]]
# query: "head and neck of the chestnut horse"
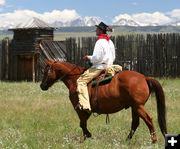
[[60, 71]]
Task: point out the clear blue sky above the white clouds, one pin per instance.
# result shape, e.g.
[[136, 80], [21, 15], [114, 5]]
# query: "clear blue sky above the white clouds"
[[102, 8]]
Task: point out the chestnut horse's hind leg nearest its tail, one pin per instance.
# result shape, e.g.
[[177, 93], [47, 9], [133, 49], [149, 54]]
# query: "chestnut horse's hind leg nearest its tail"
[[148, 120]]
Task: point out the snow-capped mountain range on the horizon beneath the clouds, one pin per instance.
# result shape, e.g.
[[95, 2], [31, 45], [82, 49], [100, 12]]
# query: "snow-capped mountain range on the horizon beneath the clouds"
[[90, 21]]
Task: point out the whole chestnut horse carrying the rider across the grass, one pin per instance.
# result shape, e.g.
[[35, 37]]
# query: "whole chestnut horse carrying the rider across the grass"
[[126, 89]]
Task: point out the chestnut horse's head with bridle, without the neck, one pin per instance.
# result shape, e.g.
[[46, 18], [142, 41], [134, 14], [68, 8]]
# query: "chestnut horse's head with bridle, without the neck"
[[49, 76]]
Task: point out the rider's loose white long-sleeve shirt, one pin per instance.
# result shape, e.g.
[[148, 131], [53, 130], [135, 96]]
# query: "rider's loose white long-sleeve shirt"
[[103, 54]]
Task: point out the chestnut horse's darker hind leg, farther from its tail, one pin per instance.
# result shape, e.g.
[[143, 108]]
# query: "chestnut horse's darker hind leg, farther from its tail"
[[134, 124]]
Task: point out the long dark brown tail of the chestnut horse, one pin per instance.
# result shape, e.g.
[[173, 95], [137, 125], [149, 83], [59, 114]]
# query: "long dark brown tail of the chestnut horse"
[[156, 87]]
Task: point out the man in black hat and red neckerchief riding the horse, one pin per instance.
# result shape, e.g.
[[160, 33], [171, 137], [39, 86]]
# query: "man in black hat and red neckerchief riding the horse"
[[103, 56]]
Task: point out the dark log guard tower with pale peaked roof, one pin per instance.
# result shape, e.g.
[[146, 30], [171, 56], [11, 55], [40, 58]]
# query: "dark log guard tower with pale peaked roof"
[[24, 49]]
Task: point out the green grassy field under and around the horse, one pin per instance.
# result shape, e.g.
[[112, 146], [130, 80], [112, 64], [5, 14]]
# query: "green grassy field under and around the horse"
[[34, 119]]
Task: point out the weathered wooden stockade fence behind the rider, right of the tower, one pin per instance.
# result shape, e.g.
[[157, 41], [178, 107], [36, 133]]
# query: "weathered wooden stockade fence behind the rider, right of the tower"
[[151, 54]]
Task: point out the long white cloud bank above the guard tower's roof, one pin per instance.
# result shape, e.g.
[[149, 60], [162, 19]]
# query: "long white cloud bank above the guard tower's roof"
[[12, 19]]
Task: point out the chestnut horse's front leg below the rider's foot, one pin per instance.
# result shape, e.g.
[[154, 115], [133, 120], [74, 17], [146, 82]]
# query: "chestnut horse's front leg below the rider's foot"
[[83, 116]]
